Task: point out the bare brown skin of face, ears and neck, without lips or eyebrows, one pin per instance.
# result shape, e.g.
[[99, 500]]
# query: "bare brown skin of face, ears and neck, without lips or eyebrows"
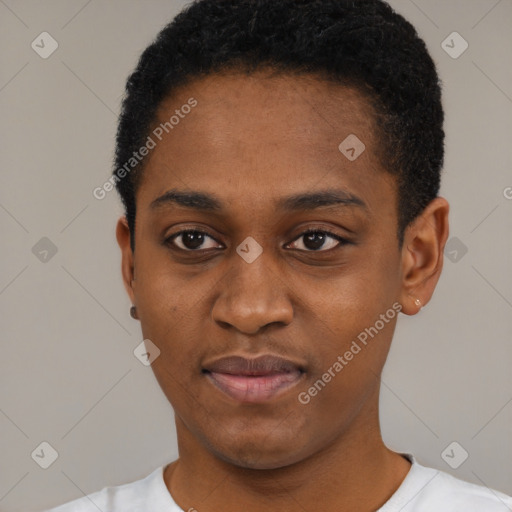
[[250, 141]]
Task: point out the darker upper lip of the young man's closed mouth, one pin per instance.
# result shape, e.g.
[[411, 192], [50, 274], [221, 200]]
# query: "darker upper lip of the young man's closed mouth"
[[261, 365]]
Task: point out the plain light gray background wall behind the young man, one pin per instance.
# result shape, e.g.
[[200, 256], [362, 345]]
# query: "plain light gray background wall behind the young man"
[[68, 375]]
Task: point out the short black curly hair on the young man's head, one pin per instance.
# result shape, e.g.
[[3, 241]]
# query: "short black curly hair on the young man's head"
[[363, 43]]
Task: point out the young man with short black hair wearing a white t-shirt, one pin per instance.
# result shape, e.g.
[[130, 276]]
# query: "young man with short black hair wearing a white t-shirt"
[[279, 162]]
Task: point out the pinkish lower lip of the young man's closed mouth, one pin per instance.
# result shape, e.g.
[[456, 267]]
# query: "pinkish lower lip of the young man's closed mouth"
[[254, 389]]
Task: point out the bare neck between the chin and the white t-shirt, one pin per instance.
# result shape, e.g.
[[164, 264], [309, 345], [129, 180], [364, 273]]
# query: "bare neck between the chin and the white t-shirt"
[[356, 472]]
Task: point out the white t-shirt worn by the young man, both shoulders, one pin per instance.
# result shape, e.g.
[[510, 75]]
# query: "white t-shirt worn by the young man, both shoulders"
[[423, 490]]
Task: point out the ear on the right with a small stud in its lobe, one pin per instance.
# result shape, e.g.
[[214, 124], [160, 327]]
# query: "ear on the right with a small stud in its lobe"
[[422, 255]]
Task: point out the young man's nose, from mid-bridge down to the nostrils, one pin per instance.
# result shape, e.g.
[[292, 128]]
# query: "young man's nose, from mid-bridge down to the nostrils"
[[253, 295]]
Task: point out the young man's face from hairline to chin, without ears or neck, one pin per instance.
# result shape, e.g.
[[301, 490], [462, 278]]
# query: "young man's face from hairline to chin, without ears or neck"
[[250, 143]]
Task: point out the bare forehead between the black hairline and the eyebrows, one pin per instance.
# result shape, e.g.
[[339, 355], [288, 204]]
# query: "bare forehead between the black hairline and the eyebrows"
[[263, 135]]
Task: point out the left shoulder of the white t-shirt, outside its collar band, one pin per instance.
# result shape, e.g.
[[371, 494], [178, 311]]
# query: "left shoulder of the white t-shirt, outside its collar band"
[[118, 498]]
